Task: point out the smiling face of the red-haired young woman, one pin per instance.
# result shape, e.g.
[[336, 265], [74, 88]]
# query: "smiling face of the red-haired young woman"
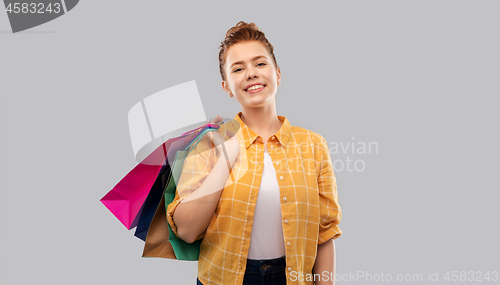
[[249, 64]]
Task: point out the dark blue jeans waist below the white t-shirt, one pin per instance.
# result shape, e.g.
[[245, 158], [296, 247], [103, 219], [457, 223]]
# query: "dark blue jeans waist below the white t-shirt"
[[263, 272]]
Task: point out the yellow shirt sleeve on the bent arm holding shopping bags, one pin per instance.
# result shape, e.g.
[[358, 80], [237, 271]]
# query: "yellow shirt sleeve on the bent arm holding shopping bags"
[[195, 169]]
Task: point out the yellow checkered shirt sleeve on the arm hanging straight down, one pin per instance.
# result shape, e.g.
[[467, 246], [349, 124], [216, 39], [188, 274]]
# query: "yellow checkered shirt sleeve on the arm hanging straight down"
[[330, 212]]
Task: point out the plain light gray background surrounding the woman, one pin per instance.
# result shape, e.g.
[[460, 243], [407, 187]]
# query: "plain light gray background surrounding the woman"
[[420, 78]]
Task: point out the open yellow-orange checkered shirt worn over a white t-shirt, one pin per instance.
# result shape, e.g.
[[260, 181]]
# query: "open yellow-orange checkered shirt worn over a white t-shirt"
[[308, 192]]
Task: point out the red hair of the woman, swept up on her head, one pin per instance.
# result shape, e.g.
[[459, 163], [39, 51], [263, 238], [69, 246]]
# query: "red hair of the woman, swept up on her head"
[[243, 32]]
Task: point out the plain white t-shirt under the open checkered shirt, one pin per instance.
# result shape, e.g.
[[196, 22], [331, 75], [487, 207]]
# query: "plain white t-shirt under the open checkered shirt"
[[267, 240]]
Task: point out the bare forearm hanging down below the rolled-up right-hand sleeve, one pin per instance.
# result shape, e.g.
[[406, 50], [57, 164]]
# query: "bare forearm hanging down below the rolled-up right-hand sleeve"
[[324, 267]]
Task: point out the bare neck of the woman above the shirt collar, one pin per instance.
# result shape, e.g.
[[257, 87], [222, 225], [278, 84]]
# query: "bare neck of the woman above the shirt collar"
[[263, 121]]
